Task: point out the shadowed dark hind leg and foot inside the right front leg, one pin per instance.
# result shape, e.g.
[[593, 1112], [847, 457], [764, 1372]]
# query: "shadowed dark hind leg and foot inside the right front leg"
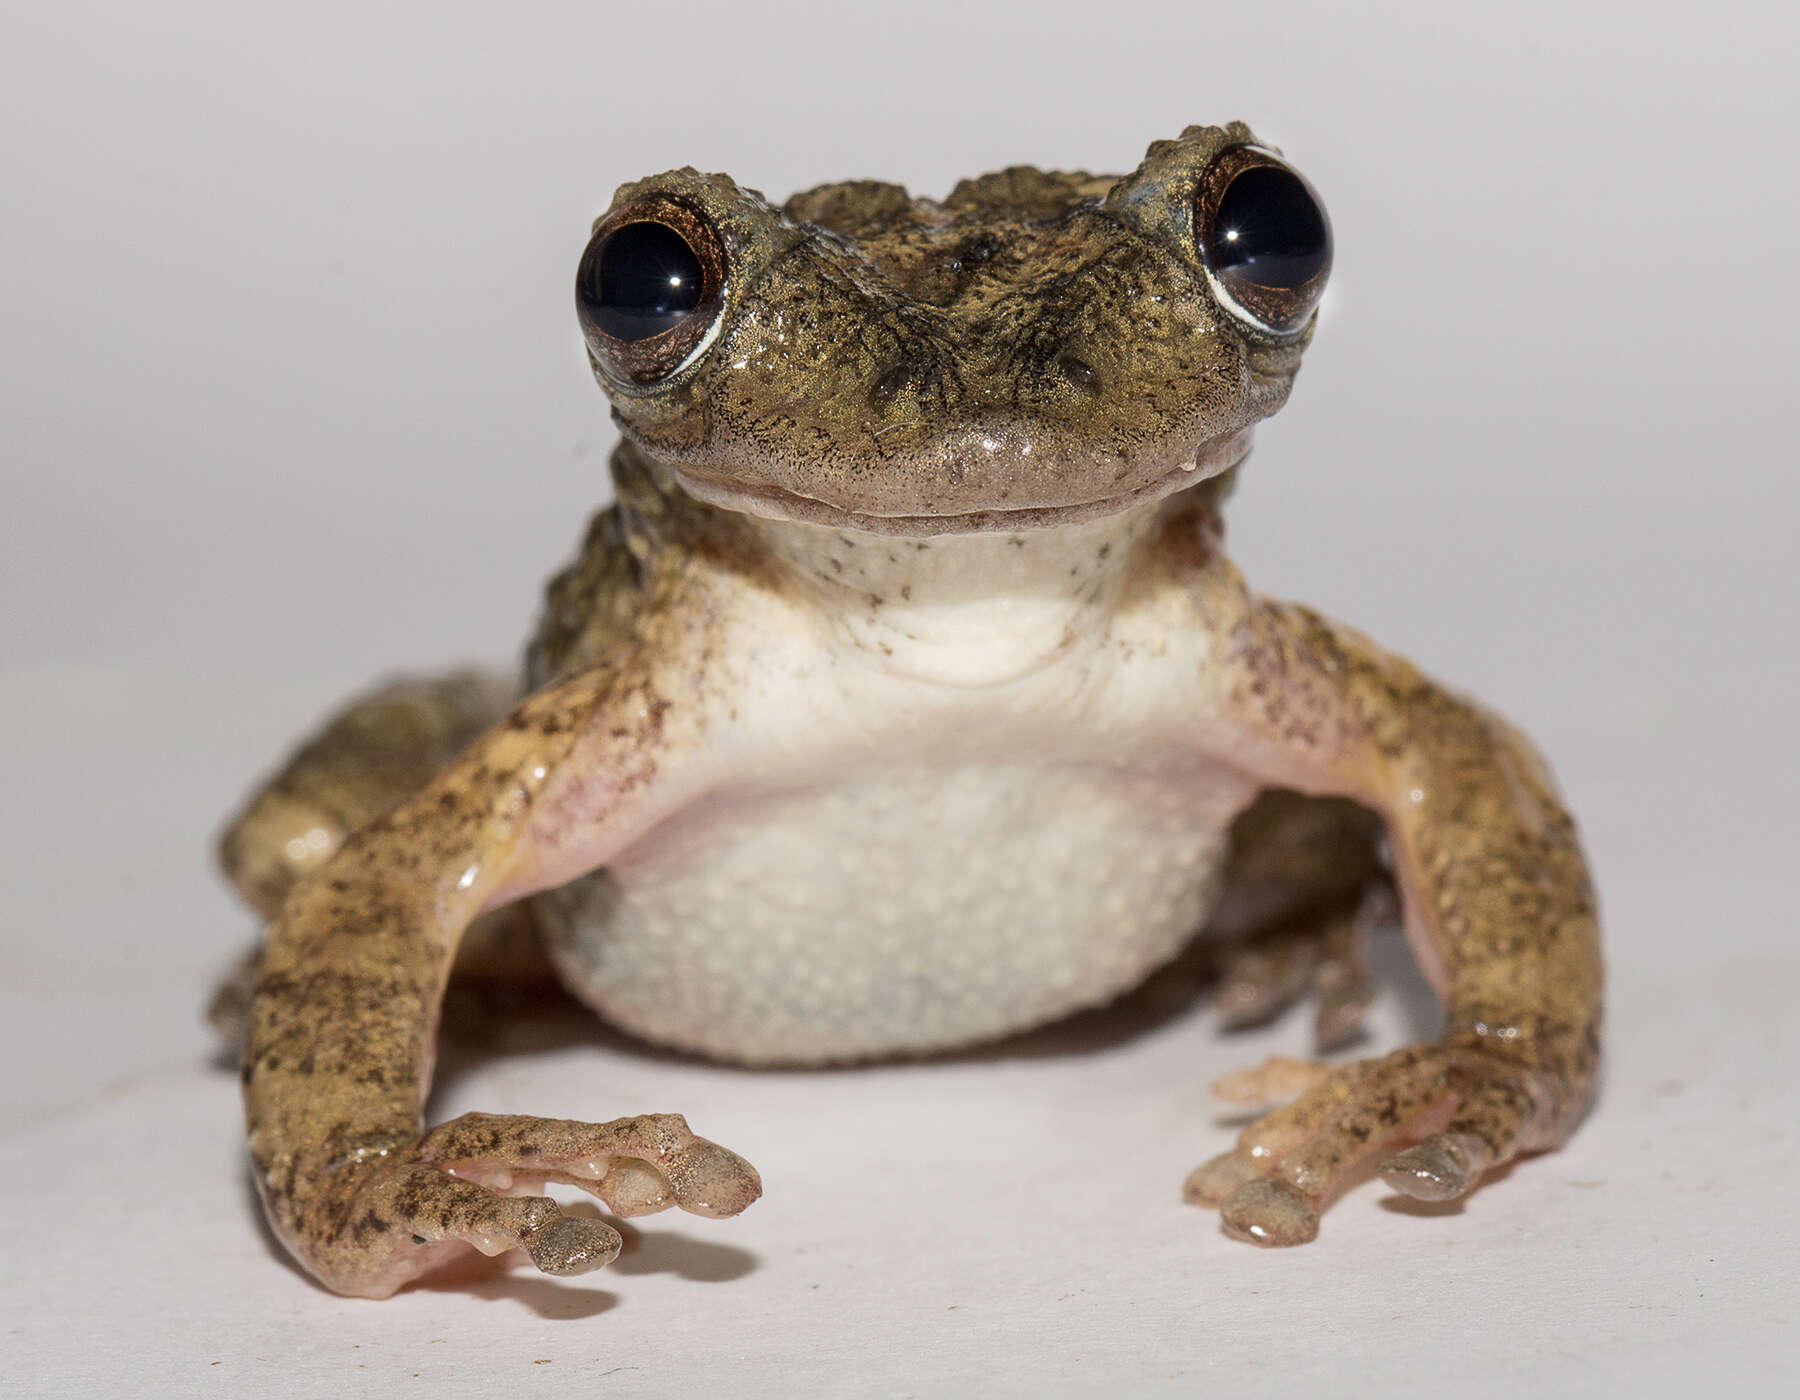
[[1304, 888]]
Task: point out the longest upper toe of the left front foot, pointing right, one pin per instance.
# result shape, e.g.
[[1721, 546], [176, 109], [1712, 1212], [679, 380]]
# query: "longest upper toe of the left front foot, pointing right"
[[636, 1165]]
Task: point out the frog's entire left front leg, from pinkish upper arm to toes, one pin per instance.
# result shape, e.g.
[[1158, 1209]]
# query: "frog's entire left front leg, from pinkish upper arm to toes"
[[346, 1007]]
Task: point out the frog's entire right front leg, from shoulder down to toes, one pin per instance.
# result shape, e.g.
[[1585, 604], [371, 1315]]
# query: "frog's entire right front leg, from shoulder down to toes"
[[1498, 908]]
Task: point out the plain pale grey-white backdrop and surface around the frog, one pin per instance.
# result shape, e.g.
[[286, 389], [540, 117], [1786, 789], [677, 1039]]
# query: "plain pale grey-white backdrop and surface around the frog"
[[292, 397]]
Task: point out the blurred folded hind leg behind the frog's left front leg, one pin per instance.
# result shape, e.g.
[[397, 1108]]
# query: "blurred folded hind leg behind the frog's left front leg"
[[364, 762]]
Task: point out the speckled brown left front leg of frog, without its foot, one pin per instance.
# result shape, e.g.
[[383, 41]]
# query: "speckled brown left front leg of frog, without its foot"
[[346, 1009]]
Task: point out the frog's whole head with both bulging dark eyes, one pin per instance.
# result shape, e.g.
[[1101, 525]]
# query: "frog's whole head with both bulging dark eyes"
[[1036, 348]]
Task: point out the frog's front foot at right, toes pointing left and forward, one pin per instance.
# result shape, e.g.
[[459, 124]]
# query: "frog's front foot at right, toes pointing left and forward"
[[1461, 1108]]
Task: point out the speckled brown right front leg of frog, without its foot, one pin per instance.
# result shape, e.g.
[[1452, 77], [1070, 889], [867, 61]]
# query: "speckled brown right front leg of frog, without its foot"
[[1500, 904]]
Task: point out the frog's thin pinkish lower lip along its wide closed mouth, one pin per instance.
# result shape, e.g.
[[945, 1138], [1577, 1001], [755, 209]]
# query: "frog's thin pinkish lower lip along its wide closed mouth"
[[777, 503]]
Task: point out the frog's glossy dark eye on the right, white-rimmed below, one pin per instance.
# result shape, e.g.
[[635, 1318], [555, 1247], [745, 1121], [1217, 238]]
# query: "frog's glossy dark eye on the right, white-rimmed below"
[[1264, 240]]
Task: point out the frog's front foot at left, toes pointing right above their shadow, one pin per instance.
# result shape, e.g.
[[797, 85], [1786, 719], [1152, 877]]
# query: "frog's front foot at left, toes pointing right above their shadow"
[[467, 1187]]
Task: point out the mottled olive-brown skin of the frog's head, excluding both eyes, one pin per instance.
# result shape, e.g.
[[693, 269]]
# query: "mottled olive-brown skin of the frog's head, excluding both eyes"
[[1029, 343]]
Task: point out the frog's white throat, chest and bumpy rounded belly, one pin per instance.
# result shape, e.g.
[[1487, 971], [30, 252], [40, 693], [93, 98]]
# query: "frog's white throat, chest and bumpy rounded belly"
[[955, 812]]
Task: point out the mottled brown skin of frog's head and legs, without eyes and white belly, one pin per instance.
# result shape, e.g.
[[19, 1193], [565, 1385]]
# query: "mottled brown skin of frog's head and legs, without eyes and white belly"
[[1034, 350]]
